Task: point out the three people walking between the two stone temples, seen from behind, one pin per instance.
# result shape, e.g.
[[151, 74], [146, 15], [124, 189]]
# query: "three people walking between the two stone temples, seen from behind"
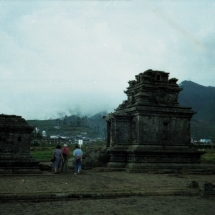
[[61, 156]]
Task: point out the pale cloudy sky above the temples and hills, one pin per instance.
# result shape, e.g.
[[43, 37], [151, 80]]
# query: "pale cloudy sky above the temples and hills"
[[66, 57]]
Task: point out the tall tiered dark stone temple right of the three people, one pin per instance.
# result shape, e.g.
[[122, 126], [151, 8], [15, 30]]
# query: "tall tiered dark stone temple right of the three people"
[[150, 131]]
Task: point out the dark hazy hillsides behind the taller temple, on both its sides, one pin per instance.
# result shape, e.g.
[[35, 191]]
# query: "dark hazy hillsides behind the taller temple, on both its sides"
[[200, 98]]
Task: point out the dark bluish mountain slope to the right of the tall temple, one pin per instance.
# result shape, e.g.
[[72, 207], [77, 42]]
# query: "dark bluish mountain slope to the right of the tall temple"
[[202, 100]]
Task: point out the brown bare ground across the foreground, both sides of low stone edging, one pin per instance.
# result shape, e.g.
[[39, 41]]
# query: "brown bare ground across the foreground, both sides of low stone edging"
[[101, 182]]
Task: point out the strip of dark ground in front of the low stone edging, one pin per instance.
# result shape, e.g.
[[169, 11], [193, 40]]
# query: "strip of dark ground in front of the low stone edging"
[[150, 205]]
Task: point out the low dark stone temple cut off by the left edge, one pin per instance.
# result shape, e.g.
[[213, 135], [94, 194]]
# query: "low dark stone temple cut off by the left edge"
[[15, 138]]
